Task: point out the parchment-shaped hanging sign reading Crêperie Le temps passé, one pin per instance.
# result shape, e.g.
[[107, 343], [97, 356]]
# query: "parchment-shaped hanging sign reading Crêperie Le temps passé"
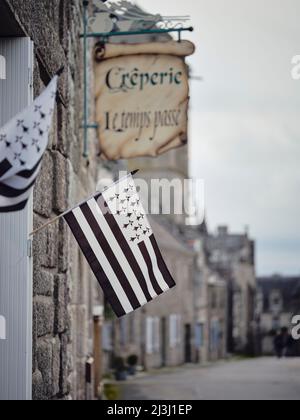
[[142, 98]]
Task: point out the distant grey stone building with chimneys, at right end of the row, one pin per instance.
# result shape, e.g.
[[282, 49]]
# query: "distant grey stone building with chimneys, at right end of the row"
[[232, 256]]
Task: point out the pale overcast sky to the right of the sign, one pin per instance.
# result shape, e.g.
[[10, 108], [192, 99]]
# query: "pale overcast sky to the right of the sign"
[[245, 120]]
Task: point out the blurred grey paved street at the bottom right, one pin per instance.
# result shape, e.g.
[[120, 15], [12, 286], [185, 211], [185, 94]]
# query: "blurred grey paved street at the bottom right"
[[266, 378]]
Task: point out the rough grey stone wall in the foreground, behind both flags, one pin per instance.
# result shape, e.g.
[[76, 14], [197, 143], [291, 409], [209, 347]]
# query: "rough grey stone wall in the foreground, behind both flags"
[[64, 288]]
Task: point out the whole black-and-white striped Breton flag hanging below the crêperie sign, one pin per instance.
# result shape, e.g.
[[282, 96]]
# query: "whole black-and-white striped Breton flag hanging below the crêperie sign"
[[114, 234]]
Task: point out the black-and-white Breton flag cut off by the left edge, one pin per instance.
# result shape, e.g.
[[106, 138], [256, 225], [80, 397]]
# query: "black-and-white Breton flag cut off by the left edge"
[[23, 142]]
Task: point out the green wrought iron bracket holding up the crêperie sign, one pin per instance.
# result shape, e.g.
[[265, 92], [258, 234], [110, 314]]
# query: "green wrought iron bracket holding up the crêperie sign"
[[116, 16]]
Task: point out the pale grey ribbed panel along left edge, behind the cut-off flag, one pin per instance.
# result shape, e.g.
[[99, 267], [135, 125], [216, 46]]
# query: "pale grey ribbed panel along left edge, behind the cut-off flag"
[[15, 262]]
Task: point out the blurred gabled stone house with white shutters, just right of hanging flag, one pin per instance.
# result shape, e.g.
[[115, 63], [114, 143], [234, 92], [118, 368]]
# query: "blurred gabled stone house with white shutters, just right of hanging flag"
[[169, 321]]
